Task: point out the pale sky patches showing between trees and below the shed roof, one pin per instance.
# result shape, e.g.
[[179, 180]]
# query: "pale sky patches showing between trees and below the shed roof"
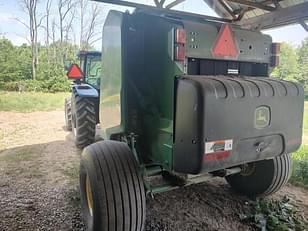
[[17, 33]]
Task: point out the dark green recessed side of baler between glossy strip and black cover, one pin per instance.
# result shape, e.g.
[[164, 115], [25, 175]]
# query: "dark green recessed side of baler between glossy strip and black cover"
[[149, 80]]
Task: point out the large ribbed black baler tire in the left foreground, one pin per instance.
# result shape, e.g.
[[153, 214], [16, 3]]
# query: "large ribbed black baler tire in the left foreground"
[[117, 189]]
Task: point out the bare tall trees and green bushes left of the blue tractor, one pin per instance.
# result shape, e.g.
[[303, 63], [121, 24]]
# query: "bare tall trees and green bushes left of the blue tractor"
[[57, 29]]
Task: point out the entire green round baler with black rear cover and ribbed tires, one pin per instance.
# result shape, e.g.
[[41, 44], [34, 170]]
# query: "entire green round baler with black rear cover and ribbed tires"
[[183, 97]]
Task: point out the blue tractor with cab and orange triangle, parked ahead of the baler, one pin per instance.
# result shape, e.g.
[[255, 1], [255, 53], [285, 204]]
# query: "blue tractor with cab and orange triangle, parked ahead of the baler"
[[81, 109]]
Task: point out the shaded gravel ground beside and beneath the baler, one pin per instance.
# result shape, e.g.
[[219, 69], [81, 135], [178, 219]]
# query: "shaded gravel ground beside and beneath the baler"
[[39, 191]]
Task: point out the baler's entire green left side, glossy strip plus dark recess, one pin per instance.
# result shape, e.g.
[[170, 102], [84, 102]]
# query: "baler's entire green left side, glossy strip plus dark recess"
[[138, 90]]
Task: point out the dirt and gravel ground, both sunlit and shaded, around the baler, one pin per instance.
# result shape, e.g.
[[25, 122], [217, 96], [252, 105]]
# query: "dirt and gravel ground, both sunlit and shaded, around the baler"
[[39, 167]]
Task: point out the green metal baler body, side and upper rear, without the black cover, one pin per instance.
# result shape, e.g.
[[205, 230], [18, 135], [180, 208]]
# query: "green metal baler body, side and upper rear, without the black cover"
[[139, 79]]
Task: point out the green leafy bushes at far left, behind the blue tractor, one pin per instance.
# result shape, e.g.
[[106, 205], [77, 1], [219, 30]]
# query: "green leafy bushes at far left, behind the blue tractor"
[[15, 66]]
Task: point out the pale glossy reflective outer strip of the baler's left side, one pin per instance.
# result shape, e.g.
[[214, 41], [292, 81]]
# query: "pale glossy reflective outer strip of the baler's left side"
[[111, 94]]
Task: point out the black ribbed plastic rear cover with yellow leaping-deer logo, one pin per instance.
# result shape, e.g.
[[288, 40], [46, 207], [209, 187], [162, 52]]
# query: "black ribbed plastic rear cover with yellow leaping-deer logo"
[[230, 121]]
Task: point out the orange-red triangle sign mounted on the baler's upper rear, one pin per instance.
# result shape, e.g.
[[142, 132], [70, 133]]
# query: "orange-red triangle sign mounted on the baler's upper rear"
[[225, 45]]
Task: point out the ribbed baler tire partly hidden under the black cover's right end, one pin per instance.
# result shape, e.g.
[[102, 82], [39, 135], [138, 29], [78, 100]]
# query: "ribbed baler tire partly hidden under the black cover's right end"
[[262, 178]]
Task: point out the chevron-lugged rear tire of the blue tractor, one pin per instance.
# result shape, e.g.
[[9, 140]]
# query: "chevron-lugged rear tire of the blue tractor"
[[83, 121]]
